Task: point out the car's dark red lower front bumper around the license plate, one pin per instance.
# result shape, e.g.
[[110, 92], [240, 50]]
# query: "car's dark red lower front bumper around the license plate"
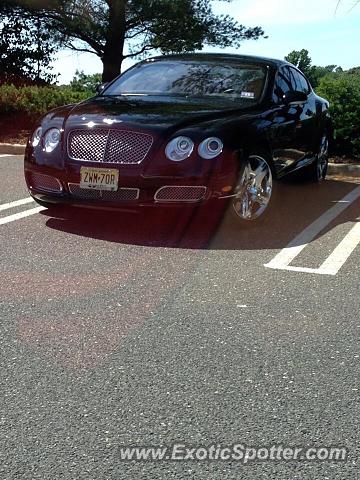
[[56, 186]]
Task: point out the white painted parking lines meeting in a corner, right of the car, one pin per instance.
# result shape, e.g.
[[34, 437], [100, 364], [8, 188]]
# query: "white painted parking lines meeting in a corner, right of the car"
[[337, 259]]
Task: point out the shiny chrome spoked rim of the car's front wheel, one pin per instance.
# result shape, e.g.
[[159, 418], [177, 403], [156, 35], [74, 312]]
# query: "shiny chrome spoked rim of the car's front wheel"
[[253, 193]]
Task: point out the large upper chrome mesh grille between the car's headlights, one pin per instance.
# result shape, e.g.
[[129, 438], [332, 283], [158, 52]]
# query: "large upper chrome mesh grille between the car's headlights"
[[109, 146]]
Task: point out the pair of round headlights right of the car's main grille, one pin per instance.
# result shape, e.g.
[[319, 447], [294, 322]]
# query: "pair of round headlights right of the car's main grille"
[[180, 148]]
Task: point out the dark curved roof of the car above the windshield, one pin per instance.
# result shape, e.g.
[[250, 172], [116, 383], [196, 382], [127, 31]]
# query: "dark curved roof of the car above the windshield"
[[221, 57]]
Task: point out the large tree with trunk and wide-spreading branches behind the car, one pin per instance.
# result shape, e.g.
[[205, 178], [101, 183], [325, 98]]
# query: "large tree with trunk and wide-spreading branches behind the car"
[[106, 27]]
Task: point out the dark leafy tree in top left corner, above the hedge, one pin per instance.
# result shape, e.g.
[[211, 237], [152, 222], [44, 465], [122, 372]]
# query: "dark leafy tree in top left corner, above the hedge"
[[25, 49]]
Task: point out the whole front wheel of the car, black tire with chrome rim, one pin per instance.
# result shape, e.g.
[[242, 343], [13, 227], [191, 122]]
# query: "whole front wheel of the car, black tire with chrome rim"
[[256, 193]]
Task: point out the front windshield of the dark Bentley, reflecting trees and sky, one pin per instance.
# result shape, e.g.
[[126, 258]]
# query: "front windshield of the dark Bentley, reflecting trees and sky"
[[193, 79]]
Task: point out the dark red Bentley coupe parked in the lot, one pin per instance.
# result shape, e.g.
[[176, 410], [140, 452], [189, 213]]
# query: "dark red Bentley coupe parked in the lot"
[[180, 130]]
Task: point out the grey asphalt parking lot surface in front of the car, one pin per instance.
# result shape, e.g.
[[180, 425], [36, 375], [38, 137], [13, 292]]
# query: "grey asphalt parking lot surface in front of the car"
[[166, 327]]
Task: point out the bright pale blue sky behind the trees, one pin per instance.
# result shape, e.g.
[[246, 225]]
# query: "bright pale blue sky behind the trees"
[[331, 35]]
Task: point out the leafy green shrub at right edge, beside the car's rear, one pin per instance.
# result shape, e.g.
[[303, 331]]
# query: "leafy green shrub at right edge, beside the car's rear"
[[343, 92]]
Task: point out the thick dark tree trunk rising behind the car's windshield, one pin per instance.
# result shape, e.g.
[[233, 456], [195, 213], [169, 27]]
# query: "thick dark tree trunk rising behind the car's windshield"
[[115, 39]]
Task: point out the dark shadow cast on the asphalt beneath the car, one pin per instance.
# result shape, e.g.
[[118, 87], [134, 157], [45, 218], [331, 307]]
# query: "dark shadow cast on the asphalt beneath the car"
[[297, 205]]
